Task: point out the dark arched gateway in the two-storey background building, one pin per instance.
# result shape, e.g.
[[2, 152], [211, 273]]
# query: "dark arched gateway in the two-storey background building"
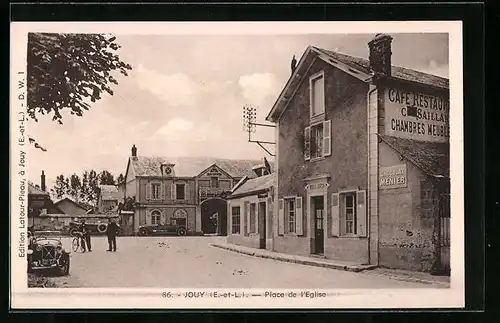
[[214, 216]]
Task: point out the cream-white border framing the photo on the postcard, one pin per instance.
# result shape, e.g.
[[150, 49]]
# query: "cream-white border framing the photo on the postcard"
[[453, 297]]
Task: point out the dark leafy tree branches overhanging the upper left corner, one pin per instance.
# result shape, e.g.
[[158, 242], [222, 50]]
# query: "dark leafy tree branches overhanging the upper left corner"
[[69, 71]]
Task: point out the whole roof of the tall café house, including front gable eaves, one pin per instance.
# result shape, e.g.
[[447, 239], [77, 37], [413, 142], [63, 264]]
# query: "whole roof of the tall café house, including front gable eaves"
[[356, 66]]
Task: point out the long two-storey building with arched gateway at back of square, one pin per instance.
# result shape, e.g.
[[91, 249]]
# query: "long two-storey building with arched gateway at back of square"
[[189, 190]]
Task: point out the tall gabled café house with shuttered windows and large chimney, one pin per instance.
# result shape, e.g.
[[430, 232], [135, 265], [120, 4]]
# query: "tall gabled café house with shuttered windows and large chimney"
[[363, 161]]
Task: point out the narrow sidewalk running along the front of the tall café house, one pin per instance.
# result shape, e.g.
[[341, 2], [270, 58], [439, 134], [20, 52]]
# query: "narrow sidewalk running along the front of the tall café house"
[[402, 275]]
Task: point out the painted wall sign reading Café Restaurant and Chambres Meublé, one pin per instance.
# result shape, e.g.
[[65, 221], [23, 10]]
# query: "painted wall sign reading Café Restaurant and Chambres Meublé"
[[418, 116]]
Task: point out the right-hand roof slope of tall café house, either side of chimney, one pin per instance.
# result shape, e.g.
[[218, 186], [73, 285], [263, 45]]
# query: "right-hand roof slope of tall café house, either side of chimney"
[[397, 72]]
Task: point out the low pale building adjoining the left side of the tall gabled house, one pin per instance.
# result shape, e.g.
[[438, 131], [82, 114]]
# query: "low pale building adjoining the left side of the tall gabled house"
[[250, 212]]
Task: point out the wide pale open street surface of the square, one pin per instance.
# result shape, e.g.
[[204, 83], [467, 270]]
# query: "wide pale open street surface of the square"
[[190, 262]]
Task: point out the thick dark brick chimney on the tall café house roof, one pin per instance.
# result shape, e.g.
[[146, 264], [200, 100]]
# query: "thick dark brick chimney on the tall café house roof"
[[380, 54]]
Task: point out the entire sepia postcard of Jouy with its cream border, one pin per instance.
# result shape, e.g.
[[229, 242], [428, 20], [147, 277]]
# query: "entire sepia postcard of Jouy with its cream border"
[[236, 162]]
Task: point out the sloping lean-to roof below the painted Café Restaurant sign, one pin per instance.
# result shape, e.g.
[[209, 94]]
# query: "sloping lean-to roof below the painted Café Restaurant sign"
[[432, 158]]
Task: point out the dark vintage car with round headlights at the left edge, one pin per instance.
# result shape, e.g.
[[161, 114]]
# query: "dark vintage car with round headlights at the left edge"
[[46, 252]]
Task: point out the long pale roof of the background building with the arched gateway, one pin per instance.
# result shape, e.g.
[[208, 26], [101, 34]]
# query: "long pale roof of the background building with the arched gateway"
[[192, 166]]
